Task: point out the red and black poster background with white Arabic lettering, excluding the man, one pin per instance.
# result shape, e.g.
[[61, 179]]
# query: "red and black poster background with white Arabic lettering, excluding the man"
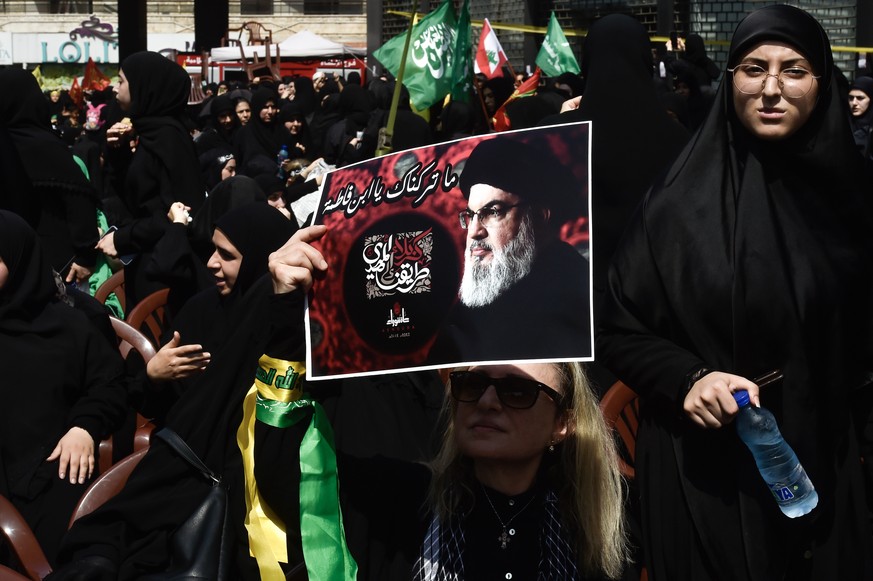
[[395, 249]]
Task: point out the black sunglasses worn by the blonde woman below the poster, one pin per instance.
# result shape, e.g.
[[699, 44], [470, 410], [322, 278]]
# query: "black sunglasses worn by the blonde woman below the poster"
[[514, 392]]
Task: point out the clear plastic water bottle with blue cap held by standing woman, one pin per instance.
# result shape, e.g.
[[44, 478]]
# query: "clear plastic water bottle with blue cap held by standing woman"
[[777, 462]]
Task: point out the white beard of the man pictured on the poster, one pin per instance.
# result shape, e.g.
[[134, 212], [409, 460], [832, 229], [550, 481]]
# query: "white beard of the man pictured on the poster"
[[483, 283]]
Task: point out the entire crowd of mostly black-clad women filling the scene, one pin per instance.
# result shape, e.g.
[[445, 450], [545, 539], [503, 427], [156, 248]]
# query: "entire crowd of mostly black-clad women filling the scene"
[[731, 229]]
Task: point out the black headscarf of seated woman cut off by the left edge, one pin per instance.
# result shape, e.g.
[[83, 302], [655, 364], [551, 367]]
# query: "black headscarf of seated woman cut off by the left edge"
[[30, 284]]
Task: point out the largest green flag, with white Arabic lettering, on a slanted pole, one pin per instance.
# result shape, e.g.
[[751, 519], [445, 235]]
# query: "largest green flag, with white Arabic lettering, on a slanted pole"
[[429, 62]]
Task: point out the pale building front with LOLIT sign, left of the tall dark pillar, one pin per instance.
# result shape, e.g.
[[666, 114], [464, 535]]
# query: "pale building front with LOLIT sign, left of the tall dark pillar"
[[61, 35]]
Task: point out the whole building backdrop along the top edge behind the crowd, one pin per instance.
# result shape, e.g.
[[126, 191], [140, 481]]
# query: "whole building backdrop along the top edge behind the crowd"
[[59, 34]]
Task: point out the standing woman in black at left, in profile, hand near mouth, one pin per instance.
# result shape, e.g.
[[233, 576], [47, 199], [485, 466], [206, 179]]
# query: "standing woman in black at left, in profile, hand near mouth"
[[164, 169]]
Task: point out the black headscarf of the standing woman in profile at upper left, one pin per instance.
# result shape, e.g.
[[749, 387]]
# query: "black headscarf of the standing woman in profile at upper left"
[[159, 90]]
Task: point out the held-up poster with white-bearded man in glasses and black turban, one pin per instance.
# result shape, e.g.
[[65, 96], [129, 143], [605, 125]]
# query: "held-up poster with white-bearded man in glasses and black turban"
[[464, 252]]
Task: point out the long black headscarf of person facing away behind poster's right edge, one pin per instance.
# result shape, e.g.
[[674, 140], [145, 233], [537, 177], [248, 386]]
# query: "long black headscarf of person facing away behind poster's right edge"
[[633, 138]]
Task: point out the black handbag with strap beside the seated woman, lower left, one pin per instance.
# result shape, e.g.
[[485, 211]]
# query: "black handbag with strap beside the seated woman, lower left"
[[201, 546]]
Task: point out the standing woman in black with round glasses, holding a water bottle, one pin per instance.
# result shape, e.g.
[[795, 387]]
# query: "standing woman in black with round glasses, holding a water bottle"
[[752, 254]]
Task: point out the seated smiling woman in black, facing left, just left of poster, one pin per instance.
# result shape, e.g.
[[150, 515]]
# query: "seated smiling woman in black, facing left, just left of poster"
[[129, 536]]
